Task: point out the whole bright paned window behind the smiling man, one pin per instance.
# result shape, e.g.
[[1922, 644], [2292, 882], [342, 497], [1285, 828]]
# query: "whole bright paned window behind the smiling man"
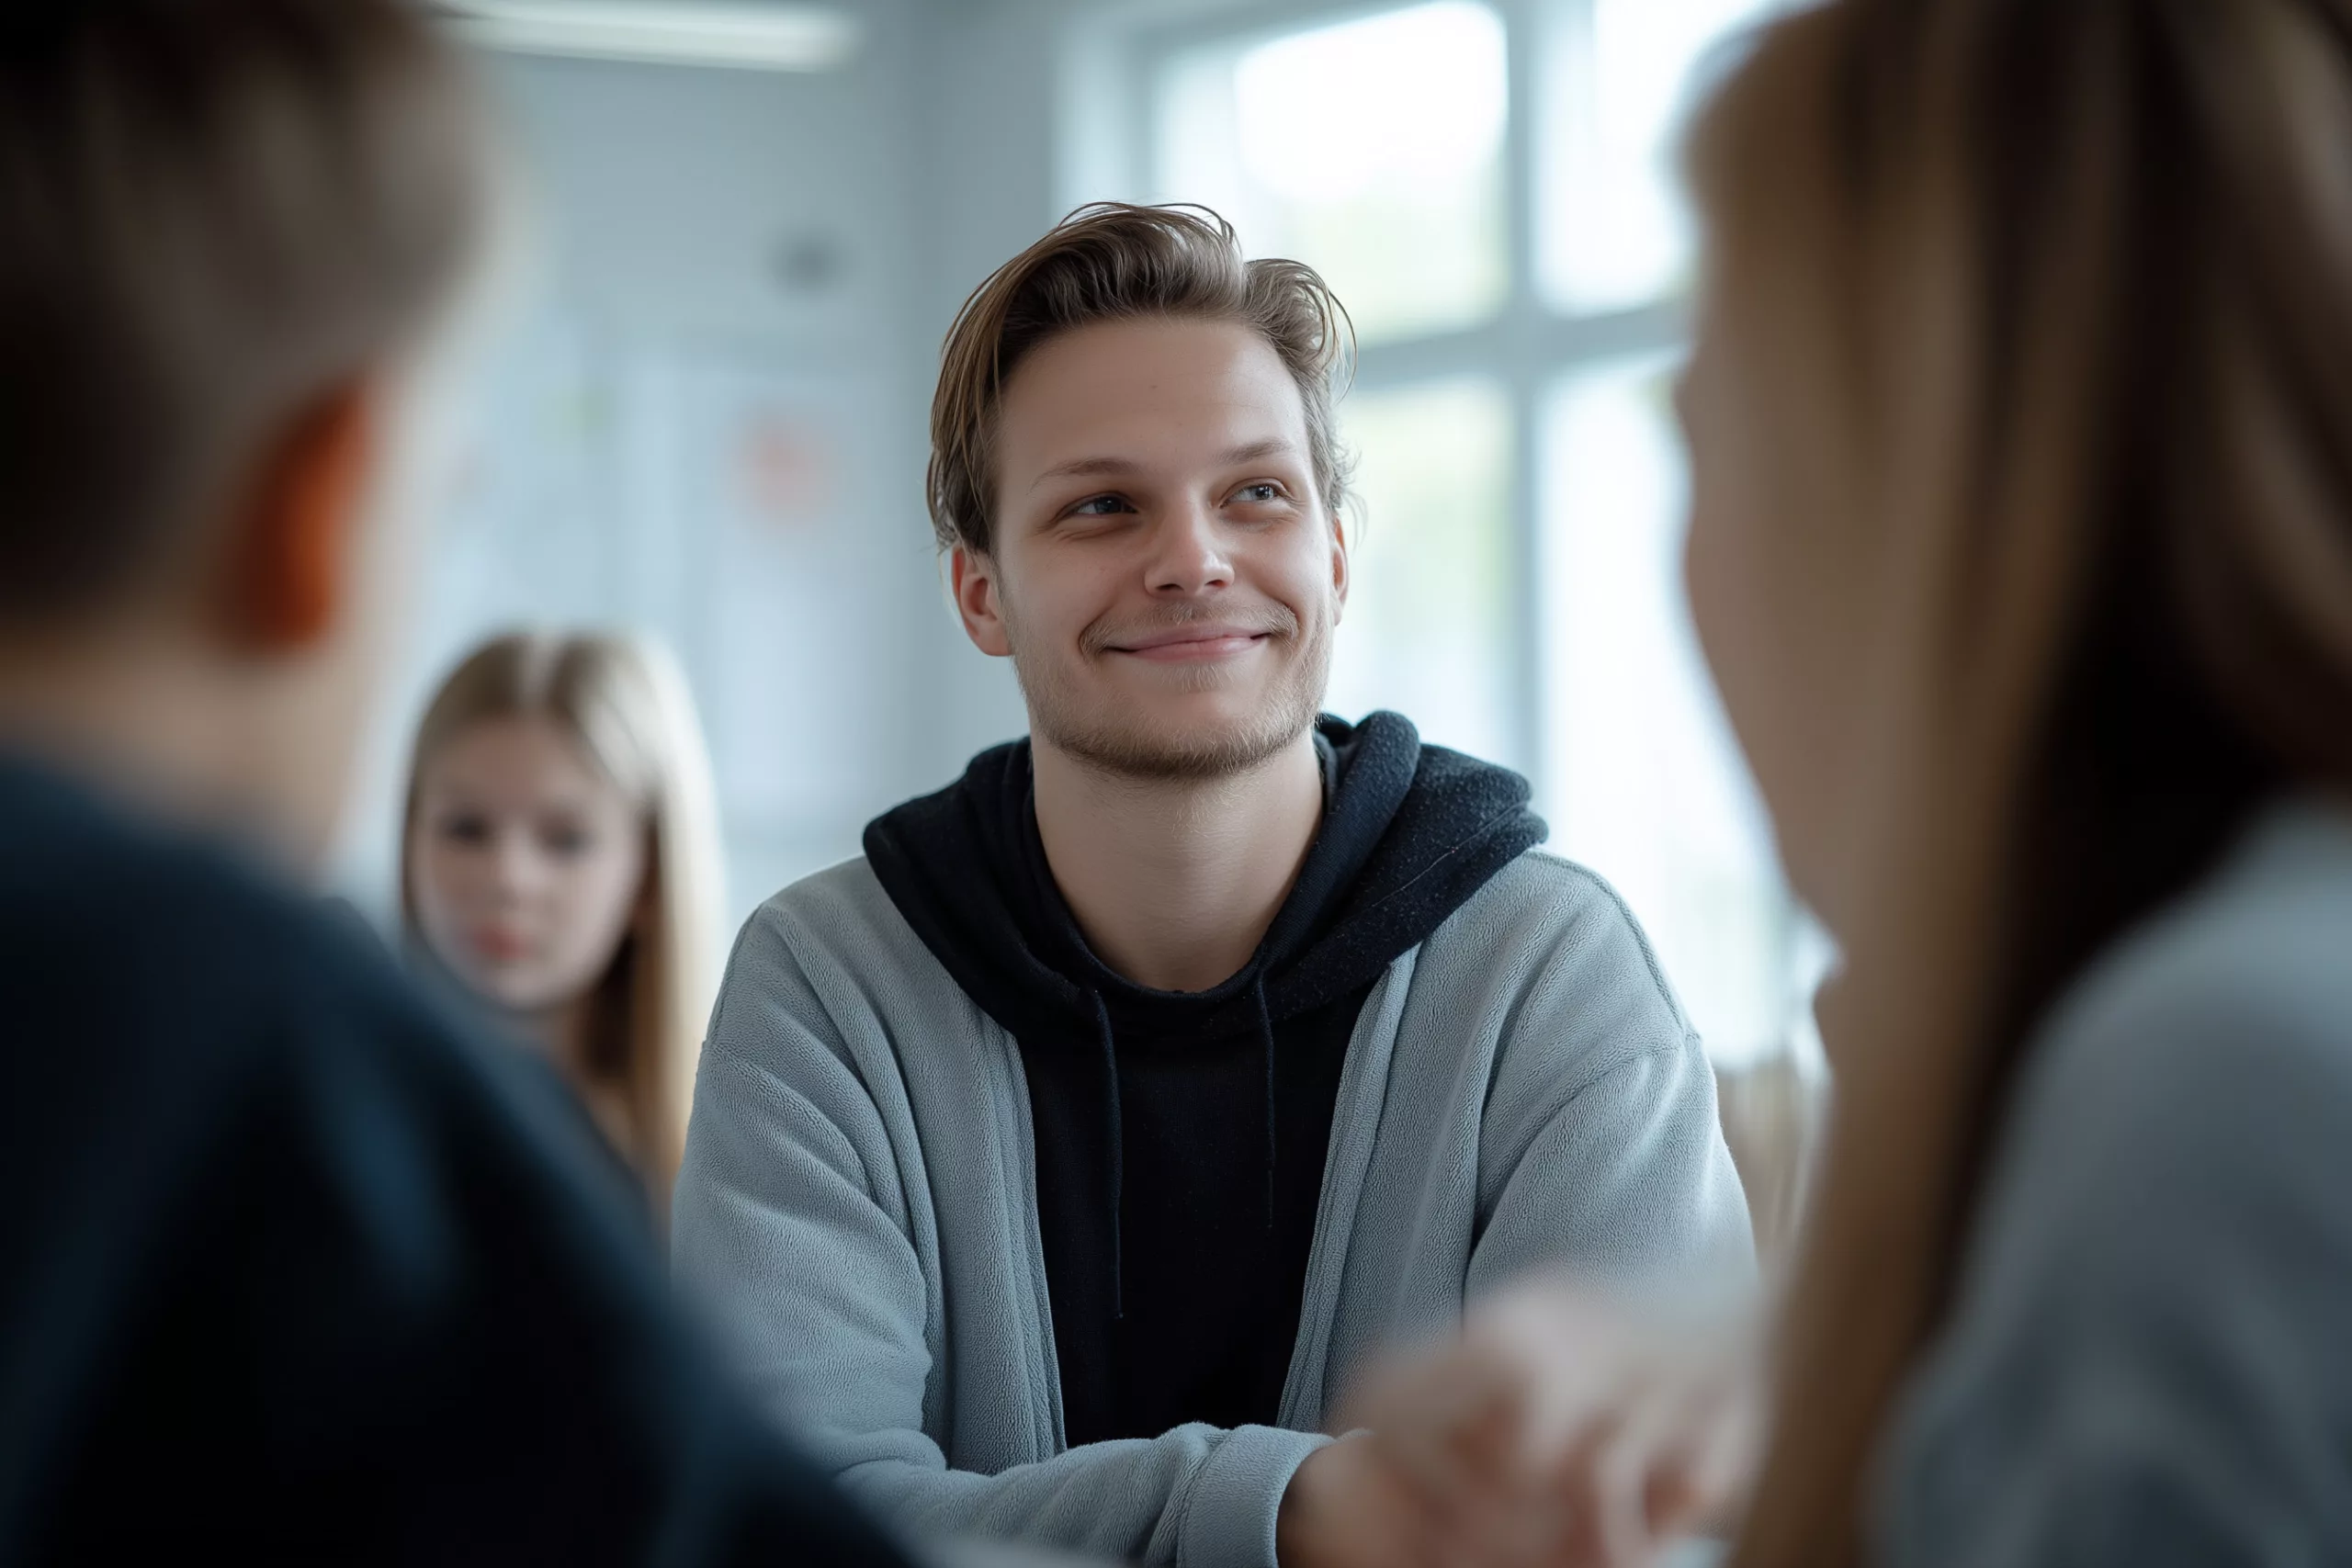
[[1490, 187]]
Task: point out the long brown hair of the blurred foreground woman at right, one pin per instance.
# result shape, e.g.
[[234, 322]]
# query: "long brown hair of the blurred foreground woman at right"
[[2064, 297]]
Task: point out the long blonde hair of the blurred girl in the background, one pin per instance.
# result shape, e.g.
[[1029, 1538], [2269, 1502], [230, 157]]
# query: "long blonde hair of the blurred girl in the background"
[[627, 706]]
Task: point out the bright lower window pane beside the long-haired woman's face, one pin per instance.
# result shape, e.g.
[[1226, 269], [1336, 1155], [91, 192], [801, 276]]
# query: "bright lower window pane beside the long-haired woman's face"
[[1645, 782]]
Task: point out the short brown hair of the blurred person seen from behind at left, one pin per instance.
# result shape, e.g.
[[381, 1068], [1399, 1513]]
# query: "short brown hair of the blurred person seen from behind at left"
[[211, 213]]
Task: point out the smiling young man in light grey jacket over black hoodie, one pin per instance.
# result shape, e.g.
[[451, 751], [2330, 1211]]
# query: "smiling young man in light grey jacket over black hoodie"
[[1062, 1160]]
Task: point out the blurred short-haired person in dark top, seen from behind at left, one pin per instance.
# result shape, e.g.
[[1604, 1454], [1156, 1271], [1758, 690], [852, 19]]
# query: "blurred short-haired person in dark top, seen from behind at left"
[[288, 1271]]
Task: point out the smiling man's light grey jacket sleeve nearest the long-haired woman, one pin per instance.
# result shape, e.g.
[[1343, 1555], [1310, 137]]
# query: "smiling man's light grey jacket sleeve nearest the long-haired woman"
[[1601, 1146]]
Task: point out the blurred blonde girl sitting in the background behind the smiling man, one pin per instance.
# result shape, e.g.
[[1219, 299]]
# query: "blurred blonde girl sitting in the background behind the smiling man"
[[561, 866]]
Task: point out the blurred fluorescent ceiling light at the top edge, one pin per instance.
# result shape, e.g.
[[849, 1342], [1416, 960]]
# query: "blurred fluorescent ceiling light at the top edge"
[[664, 32]]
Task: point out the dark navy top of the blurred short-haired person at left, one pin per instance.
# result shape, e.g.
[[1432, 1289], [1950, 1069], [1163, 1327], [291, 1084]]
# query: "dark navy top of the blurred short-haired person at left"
[[293, 1273]]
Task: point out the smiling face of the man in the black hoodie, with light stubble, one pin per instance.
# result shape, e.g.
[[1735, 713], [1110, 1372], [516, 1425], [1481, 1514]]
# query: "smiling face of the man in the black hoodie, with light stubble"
[[1163, 572]]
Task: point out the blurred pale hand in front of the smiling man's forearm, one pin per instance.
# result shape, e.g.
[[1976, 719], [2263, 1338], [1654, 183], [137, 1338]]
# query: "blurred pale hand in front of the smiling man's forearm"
[[1570, 1430]]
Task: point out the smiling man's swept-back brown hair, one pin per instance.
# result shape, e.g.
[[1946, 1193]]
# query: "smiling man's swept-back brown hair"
[[1116, 262]]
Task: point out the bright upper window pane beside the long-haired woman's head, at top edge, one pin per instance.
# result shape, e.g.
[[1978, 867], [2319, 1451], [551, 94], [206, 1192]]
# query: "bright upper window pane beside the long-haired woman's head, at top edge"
[[1622, 76]]
